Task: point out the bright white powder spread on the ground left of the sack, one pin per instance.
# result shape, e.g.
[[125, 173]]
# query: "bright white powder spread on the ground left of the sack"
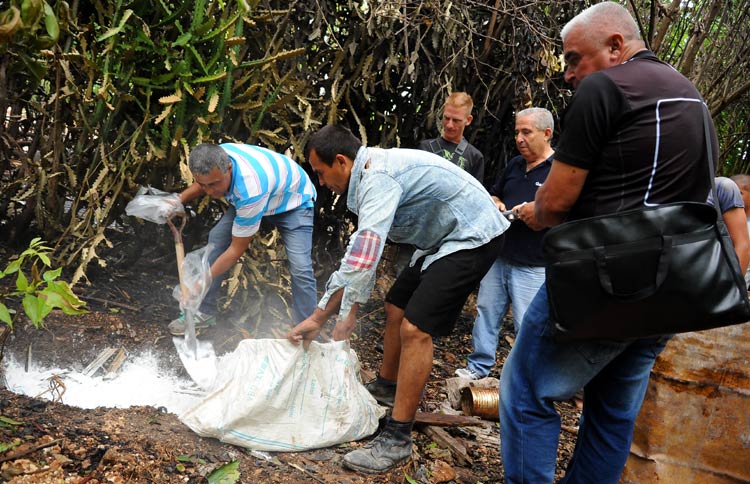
[[140, 381]]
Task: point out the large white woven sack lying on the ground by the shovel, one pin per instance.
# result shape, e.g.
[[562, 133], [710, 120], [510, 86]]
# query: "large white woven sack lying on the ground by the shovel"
[[272, 395]]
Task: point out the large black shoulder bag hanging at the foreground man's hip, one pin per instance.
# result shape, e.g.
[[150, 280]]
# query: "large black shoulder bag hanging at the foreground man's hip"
[[645, 272]]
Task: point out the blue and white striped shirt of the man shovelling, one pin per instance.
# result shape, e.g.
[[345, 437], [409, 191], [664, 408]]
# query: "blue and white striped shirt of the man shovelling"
[[264, 183]]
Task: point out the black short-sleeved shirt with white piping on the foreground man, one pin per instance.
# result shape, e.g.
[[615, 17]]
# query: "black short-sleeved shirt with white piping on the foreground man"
[[638, 129]]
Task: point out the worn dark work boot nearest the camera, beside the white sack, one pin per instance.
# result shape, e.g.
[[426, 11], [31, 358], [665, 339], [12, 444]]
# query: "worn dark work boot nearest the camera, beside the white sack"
[[388, 450]]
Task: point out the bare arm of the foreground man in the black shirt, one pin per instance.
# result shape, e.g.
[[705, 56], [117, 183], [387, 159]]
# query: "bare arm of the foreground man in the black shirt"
[[558, 193]]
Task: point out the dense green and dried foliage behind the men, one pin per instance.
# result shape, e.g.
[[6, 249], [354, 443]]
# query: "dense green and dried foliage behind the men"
[[97, 98]]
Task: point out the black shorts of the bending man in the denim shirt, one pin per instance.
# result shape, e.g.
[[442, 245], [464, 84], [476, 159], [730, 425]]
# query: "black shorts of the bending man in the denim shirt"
[[432, 300]]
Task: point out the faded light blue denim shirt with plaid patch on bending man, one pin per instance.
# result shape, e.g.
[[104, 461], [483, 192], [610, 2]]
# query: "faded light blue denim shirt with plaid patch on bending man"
[[411, 197]]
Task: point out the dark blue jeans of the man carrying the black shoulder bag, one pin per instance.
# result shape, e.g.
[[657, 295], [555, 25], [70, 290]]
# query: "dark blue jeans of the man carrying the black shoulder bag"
[[539, 371]]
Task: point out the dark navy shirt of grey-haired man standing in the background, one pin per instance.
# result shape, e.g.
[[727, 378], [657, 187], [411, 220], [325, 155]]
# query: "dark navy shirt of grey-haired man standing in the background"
[[515, 185]]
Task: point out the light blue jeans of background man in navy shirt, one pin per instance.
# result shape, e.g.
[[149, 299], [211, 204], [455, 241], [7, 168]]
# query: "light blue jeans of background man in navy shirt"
[[504, 283]]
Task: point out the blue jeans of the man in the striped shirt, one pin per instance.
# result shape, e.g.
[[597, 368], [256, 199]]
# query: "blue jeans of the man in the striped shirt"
[[296, 228]]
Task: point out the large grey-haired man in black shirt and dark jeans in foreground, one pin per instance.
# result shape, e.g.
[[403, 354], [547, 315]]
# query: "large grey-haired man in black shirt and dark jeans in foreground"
[[632, 136]]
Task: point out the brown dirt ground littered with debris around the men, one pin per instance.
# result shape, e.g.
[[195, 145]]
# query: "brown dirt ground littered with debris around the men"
[[42, 441]]
